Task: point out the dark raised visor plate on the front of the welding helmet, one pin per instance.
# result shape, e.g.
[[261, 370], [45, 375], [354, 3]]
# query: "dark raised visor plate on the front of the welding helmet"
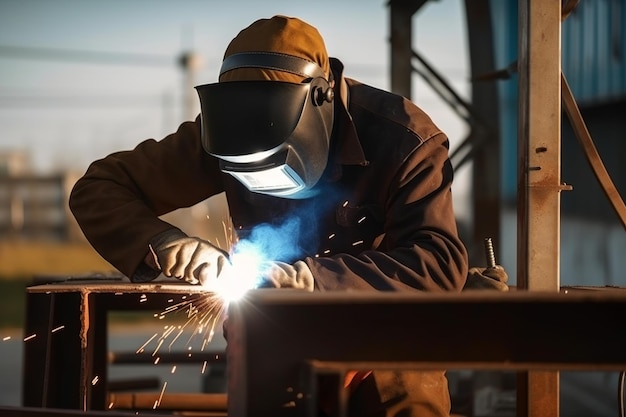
[[247, 117]]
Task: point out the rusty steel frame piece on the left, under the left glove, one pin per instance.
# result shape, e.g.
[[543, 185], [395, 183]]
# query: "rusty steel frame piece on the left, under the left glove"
[[66, 338]]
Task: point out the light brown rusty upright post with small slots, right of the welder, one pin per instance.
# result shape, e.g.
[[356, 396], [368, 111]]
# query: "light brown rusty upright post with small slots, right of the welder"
[[539, 184]]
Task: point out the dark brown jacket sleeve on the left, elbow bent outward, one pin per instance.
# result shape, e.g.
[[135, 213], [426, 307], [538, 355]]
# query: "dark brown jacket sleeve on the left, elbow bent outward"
[[118, 201]]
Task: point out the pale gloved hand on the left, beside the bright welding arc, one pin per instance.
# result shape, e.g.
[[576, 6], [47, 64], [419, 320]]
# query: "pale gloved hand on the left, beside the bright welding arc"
[[189, 259]]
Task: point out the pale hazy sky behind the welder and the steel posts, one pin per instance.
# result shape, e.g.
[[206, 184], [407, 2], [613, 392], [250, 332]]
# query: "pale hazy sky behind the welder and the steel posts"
[[80, 79]]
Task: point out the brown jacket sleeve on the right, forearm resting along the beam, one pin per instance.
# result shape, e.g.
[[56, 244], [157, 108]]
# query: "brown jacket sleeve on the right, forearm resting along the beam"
[[421, 249]]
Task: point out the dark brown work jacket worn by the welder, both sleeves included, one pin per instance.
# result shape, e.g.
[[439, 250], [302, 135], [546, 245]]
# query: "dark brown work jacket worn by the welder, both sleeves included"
[[383, 219]]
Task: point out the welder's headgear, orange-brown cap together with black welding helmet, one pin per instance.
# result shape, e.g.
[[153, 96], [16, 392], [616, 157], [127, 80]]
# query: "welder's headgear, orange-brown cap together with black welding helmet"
[[270, 117]]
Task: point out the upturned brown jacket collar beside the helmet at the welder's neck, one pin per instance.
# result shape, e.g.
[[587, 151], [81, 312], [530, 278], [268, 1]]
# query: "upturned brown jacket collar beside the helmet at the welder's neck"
[[348, 150]]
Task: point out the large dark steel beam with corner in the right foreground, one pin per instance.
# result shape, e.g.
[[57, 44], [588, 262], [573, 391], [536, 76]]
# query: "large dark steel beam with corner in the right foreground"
[[280, 343]]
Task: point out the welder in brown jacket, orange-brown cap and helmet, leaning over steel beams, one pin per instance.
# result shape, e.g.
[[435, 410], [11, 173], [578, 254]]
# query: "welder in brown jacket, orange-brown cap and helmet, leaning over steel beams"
[[286, 135]]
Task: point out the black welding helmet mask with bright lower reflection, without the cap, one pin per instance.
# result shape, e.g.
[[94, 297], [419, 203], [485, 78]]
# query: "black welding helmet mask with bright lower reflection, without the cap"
[[271, 136]]
